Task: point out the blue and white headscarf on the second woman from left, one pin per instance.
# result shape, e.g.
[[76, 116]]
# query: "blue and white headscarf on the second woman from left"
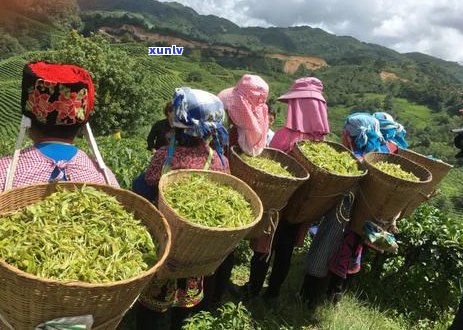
[[200, 114]]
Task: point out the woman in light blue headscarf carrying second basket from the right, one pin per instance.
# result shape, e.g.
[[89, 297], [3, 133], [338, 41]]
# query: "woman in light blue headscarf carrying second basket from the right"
[[335, 252]]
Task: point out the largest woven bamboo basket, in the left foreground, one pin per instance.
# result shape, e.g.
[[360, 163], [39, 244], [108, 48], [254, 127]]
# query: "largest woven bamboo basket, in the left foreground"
[[27, 300]]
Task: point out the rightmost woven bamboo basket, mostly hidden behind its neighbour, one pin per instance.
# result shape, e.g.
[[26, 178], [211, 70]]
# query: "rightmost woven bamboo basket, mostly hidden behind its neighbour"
[[438, 169]]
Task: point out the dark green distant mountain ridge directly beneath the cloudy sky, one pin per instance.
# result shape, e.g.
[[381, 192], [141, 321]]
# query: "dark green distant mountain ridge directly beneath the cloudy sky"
[[181, 21]]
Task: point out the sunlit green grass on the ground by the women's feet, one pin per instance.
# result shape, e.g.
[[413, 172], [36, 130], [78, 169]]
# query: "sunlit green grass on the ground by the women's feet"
[[289, 313]]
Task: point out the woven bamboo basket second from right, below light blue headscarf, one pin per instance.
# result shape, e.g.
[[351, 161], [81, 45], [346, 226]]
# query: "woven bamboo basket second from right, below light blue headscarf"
[[382, 197]]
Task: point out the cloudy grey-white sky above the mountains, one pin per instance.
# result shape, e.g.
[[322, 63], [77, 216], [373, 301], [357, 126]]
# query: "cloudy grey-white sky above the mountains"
[[433, 27]]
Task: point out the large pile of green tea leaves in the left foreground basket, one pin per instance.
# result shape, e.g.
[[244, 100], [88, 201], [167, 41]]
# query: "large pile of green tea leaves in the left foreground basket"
[[77, 235]]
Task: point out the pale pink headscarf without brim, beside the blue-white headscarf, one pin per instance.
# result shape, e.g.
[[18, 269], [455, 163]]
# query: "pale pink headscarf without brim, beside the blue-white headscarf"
[[246, 107]]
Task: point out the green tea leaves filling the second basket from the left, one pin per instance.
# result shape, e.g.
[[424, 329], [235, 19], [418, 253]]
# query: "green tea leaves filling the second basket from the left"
[[208, 203]]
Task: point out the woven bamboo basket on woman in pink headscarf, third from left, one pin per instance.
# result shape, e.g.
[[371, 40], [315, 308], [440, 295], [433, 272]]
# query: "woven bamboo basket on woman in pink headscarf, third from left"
[[274, 191]]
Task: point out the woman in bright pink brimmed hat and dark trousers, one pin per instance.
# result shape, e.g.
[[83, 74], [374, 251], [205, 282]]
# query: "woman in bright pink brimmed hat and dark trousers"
[[307, 119]]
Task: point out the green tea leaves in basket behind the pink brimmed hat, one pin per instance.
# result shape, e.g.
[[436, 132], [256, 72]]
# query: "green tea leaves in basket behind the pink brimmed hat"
[[325, 156]]
